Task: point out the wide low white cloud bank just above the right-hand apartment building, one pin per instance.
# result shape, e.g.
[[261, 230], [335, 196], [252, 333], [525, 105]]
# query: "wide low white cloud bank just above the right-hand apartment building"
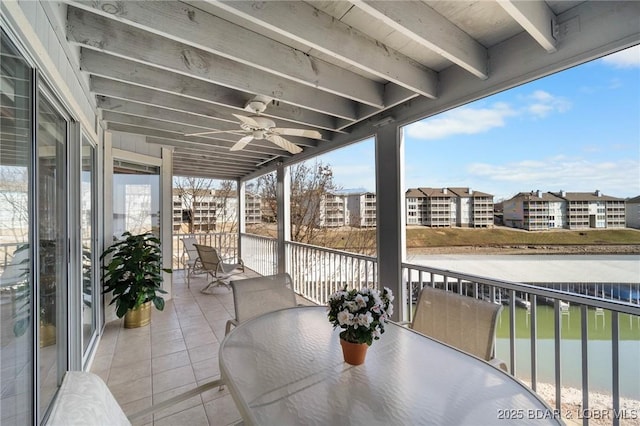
[[555, 173]]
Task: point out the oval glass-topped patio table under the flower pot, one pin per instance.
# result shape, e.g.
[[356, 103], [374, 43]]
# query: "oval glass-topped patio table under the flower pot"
[[286, 368]]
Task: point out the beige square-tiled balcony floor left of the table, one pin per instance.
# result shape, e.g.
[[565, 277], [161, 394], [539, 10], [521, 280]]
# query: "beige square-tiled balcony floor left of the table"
[[176, 353]]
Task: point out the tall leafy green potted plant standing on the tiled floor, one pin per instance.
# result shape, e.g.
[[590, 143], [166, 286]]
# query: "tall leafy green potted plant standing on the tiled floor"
[[134, 277]]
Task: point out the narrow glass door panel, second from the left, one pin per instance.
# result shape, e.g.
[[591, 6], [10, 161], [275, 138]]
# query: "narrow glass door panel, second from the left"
[[52, 259]]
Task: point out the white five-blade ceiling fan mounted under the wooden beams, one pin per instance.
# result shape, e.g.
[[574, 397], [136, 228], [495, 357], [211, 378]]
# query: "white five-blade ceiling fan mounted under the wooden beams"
[[258, 127]]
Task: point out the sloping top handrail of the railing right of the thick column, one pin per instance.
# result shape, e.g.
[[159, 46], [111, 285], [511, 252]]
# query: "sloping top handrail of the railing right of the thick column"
[[614, 305]]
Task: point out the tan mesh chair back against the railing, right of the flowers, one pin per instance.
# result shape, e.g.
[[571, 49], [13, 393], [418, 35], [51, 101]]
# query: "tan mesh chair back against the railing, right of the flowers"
[[463, 322]]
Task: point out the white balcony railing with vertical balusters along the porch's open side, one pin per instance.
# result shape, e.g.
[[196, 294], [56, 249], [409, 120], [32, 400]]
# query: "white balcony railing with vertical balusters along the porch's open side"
[[553, 340]]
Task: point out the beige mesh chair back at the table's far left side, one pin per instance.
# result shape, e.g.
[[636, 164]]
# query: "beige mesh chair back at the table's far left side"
[[257, 296]]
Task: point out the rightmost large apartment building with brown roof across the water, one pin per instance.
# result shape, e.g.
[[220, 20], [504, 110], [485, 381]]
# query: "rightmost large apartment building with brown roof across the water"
[[571, 210]]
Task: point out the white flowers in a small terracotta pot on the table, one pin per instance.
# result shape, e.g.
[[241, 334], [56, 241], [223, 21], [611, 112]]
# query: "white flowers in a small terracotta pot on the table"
[[361, 314]]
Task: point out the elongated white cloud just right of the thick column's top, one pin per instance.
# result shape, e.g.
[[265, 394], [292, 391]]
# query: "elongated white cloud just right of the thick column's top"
[[464, 120]]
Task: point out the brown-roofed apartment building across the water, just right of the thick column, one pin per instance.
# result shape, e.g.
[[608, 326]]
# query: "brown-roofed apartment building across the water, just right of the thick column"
[[445, 207]]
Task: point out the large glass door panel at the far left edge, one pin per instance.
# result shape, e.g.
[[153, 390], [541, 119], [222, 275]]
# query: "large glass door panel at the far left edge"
[[16, 281]]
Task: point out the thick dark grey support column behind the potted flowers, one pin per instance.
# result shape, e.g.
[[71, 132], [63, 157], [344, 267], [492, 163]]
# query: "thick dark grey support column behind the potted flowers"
[[390, 239]]
